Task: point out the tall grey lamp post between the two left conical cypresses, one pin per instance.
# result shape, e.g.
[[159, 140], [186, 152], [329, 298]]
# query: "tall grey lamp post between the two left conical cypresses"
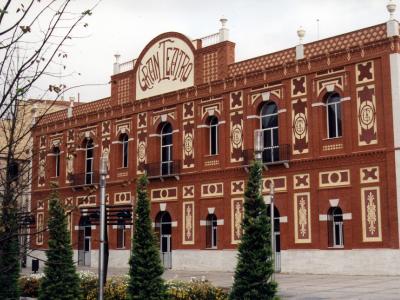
[[103, 174]]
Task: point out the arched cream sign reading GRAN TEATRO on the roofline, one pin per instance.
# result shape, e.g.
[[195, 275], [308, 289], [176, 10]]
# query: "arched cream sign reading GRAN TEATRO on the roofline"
[[168, 65]]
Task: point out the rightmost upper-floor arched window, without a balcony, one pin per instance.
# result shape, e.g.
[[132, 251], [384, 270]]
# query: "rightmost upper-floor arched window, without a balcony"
[[334, 115]]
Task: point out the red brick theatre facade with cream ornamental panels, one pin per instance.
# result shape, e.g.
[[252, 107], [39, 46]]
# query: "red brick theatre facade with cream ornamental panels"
[[185, 113]]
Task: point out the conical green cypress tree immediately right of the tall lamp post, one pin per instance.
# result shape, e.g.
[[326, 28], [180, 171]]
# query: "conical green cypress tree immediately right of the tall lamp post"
[[145, 264]]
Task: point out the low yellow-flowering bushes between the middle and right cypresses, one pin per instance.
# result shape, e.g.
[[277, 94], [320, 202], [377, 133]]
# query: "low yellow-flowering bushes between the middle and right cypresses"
[[195, 290]]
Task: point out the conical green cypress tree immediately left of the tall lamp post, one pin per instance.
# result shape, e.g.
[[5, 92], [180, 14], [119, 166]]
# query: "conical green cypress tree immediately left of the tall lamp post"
[[60, 279]]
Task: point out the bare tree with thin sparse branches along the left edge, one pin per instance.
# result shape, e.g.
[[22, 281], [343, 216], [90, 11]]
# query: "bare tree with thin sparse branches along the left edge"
[[33, 34]]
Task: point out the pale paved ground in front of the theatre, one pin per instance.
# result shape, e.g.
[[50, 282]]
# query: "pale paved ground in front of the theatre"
[[301, 286]]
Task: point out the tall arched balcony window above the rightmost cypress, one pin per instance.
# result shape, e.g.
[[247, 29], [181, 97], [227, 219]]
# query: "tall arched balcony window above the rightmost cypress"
[[269, 126]]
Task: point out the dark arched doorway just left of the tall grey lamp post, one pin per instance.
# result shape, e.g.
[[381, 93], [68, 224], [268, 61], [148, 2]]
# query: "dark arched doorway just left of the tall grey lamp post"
[[84, 241]]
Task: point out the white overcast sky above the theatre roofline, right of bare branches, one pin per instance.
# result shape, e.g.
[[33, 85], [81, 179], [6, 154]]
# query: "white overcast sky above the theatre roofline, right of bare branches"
[[256, 26]]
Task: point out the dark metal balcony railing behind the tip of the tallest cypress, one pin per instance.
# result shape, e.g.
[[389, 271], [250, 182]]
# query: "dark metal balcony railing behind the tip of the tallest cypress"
[[271, 156]]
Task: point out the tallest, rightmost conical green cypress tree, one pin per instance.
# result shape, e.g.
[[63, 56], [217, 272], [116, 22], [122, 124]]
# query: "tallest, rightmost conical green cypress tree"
[[253, 274]]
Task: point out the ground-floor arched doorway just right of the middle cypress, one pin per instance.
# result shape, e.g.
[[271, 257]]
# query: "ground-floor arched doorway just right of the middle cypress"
[[164, 230]]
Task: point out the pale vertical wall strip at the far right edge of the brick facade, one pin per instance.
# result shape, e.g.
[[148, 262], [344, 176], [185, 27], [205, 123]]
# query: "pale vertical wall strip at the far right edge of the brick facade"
[[395, 84]]
